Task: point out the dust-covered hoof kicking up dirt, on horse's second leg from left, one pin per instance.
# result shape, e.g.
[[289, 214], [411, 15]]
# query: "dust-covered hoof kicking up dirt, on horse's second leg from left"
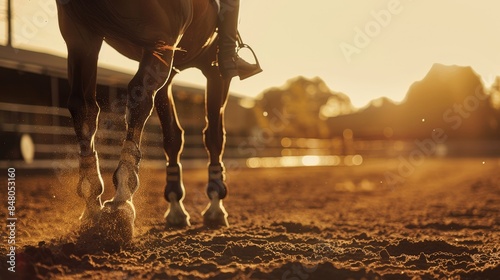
[[117, 221]]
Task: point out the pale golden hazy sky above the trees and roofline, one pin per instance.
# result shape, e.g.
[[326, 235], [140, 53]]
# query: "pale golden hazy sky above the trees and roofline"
[[364, 48]]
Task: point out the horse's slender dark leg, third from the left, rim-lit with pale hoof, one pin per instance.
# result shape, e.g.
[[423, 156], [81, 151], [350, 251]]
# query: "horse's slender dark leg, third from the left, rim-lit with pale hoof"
[[173, 139]]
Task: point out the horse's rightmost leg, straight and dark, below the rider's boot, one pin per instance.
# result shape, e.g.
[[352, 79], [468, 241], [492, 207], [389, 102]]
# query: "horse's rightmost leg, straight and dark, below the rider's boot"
[[214, 137]]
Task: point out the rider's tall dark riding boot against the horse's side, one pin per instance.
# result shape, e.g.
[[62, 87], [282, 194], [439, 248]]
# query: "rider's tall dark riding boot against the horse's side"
[[230, 64]]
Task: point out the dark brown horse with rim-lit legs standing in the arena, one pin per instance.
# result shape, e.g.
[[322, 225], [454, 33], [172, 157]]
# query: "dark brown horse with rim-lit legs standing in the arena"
[[164, 37]]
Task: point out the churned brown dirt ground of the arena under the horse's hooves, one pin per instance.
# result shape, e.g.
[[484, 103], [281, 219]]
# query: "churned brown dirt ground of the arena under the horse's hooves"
[[381, 220]]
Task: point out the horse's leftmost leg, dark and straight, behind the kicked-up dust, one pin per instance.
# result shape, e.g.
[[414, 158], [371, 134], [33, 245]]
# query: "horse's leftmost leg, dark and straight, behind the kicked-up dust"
[[83, 50]]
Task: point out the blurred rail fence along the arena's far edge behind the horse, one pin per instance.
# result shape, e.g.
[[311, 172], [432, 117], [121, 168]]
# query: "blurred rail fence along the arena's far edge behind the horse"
[[47, 133]]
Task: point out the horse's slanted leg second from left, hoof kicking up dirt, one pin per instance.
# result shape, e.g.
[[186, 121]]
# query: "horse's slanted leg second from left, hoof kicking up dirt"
[[119, 212]]
